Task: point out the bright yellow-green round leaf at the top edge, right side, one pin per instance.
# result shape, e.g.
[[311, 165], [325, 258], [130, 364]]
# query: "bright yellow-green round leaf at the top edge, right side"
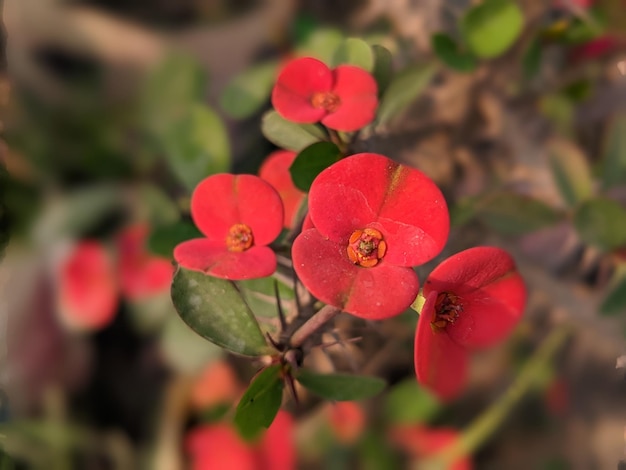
[[489, 29]]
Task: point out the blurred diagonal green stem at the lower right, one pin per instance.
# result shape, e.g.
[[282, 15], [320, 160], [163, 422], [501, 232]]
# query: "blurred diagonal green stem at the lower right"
[[484, 426]]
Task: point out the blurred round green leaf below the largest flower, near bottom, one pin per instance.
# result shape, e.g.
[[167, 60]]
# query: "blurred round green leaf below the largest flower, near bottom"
[[408, 403]]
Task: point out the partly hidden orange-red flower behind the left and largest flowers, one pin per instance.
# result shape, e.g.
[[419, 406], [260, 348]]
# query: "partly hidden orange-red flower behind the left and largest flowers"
[[275, 170]]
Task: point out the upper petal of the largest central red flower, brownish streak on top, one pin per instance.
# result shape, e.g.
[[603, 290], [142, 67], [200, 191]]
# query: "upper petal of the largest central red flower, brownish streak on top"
[[368, 189]]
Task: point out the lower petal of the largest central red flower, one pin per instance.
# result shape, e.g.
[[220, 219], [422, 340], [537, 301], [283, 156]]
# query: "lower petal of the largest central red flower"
[[324, 268]]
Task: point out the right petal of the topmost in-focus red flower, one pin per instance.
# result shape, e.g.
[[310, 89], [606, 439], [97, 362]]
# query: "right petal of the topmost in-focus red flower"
[[358, 93]]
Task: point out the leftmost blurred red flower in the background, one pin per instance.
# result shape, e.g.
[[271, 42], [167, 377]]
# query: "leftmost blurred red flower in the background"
[[87, 290]]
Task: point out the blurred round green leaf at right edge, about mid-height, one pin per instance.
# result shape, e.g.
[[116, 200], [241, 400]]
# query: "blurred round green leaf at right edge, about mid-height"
[[601, 222]]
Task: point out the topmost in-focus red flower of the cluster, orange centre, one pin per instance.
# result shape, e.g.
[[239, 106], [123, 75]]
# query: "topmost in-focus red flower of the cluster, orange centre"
[[307, 91]]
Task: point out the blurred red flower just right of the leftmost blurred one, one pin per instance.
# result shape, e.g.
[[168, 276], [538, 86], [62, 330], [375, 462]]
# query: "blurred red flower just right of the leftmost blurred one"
[[141, 274]]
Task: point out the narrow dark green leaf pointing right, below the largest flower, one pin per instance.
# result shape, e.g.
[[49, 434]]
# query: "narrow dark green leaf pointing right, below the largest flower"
[[340, 387]]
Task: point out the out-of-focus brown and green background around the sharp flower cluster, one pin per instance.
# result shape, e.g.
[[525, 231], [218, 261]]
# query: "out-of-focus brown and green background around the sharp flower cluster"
[[112, 111]]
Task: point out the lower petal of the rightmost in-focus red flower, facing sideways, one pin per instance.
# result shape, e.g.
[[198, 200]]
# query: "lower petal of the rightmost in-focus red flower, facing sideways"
[[440, 363]]
